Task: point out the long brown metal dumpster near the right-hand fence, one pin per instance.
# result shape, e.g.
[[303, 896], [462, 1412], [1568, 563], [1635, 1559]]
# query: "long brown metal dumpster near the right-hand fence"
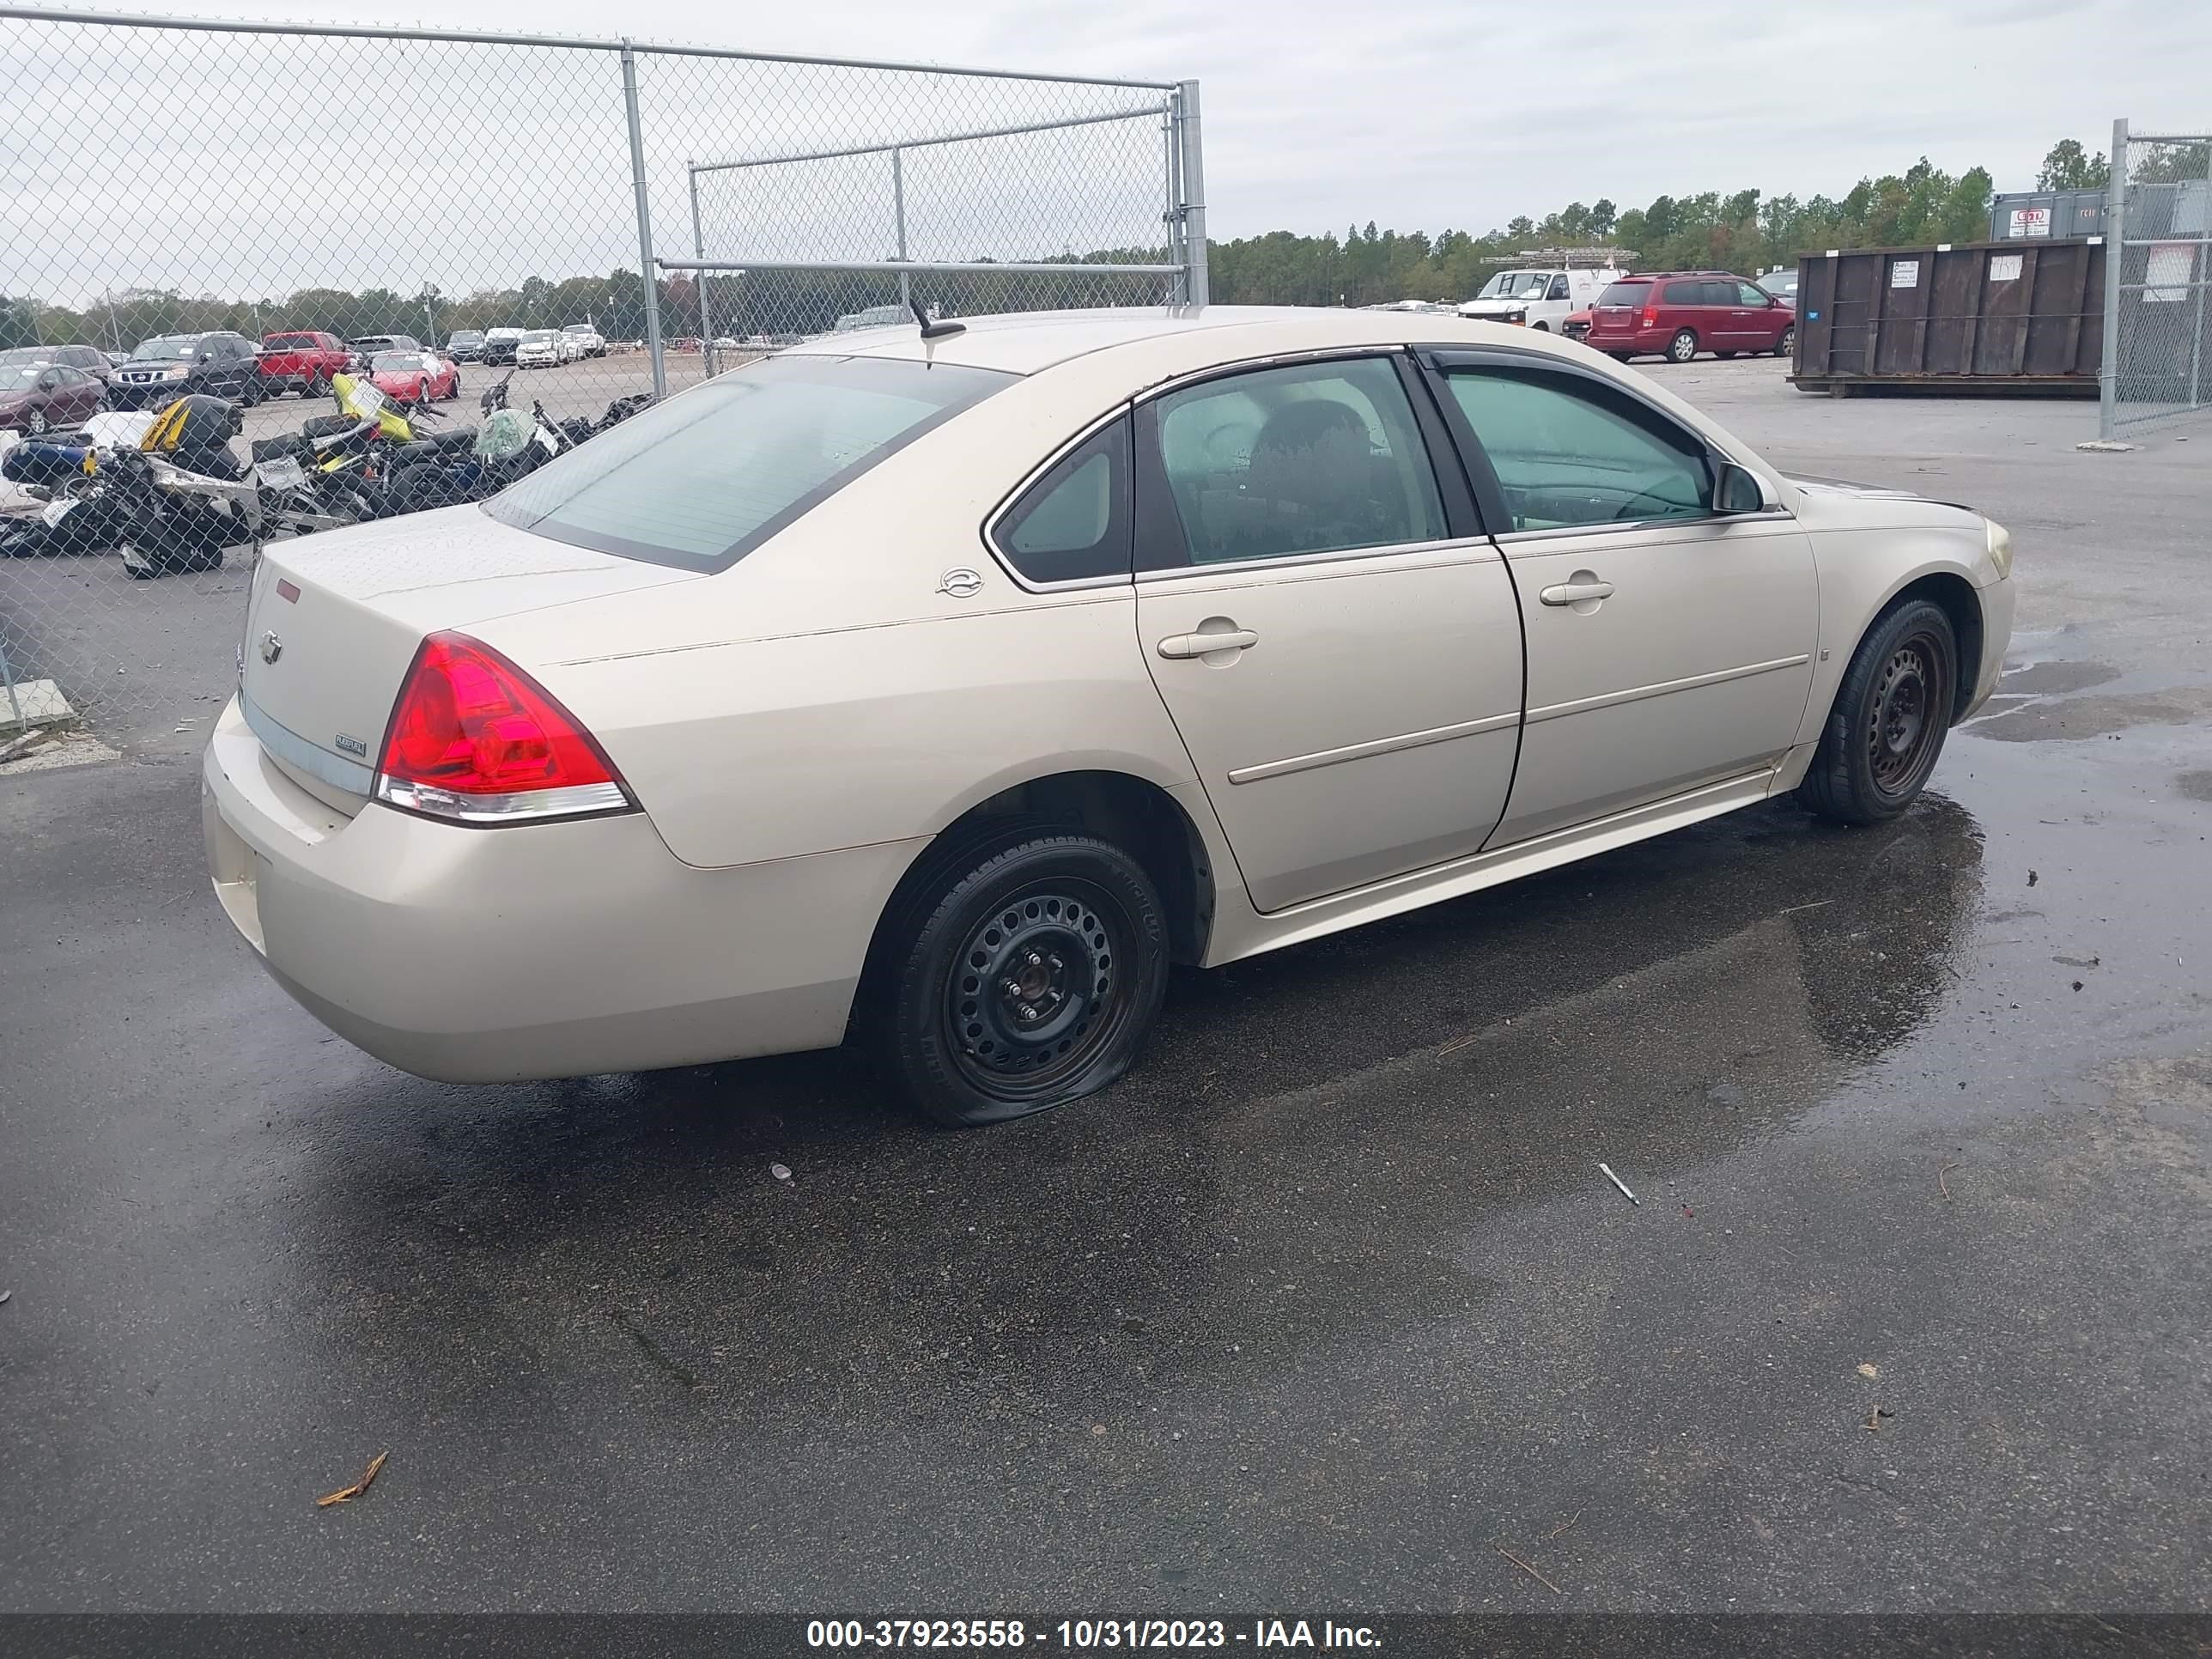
[[1981, 317]]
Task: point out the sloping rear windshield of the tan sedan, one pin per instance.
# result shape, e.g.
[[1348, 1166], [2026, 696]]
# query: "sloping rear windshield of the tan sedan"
[[709, 477]]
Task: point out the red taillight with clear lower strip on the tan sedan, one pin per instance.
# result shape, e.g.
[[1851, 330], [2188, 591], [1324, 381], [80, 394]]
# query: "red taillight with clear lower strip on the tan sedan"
[[477, 740]]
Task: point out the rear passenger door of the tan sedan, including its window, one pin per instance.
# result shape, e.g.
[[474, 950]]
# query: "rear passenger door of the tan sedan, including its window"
[[1335, 640]]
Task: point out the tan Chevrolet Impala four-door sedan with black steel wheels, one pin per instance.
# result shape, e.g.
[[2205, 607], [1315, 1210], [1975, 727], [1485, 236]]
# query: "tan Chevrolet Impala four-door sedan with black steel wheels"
[[946, 691]]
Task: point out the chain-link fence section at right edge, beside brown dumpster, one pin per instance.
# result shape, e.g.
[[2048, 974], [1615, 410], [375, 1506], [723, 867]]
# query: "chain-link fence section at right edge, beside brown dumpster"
[[2158, 322]]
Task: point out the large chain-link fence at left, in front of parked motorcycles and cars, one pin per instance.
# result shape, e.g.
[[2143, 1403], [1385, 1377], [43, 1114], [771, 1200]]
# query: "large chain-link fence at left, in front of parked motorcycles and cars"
[[255, 211]]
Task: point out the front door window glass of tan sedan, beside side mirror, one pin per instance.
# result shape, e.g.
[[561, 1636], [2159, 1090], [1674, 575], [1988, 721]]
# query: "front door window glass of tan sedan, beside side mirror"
[[1572, 452]]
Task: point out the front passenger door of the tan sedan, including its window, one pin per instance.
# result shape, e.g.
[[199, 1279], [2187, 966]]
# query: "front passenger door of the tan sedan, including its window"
[[1669, 645]]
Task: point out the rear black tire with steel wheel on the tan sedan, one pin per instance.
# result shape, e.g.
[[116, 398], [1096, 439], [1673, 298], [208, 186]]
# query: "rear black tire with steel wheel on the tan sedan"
[[1021, 979]]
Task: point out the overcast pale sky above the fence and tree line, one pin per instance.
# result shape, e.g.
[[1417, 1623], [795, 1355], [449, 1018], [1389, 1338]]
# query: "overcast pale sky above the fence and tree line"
[[1428, 114]]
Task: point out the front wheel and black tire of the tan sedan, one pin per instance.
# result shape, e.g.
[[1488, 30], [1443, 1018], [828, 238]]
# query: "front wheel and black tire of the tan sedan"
[[1890, 718]]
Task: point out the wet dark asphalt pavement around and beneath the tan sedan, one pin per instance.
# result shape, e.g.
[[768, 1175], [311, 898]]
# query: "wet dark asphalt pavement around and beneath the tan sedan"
[[1328, 1306]]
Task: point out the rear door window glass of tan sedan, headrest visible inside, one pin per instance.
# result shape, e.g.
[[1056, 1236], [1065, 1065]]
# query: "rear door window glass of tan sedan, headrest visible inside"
[[1297, 461]]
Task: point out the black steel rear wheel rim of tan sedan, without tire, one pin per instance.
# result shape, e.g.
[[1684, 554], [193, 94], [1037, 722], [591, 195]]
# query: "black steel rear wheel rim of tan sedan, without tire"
[[1039, 992]]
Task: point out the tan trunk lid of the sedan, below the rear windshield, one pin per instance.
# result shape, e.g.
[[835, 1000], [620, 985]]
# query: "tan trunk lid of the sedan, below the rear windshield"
[[333, 625]]
